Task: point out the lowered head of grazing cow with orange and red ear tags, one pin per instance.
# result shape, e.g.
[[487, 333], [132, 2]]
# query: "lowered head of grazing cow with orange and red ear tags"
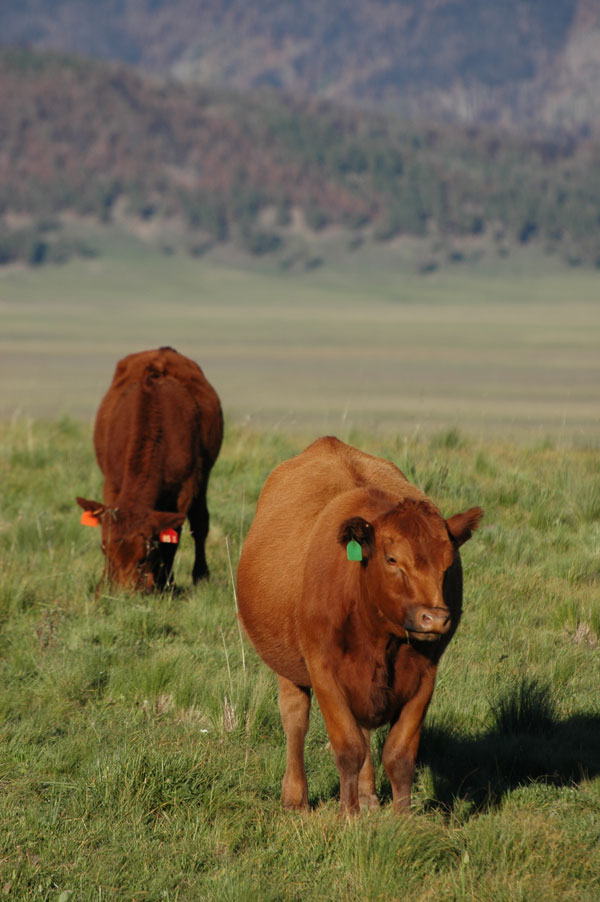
[[131, 542]]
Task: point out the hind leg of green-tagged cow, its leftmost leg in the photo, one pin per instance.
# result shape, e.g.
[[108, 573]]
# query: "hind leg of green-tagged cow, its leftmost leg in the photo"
[[294, 704]]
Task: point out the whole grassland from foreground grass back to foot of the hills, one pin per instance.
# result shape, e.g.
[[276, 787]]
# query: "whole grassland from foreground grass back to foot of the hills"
[[141, 752]]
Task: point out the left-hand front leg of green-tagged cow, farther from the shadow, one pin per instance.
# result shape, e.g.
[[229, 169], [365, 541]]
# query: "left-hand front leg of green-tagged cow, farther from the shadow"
[[347, 740]]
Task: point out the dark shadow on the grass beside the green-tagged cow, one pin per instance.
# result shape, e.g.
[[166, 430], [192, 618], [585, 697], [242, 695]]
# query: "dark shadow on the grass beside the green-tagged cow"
[[526, 743]]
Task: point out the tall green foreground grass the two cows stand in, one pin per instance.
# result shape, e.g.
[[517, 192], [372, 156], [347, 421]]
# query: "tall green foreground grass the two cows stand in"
[[141, 752]]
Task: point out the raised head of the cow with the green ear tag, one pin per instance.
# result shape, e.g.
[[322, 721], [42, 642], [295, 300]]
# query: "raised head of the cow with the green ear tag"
[[405, 555]]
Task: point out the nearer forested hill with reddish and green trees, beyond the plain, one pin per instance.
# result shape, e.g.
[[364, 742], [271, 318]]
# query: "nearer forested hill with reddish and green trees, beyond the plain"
[[85, 138]]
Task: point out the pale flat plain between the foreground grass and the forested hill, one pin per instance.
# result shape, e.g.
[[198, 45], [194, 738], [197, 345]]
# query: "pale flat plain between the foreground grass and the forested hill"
[[354, 344]]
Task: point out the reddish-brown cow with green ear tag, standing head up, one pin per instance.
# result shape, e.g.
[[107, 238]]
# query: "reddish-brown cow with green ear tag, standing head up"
[[366, 635]]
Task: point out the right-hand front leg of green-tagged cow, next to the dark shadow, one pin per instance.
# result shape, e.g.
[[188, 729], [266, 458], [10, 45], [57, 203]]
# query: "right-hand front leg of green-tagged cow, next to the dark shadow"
[[402, 744]]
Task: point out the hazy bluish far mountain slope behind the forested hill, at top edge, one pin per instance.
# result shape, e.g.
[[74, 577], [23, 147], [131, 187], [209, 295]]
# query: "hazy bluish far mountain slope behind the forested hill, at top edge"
[[526, 64]]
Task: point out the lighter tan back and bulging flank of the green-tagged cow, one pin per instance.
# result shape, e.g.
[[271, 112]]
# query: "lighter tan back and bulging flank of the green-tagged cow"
[[271, 568]]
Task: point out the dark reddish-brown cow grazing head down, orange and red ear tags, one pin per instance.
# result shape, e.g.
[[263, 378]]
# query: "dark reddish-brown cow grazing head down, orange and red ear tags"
[[157, 434]]
